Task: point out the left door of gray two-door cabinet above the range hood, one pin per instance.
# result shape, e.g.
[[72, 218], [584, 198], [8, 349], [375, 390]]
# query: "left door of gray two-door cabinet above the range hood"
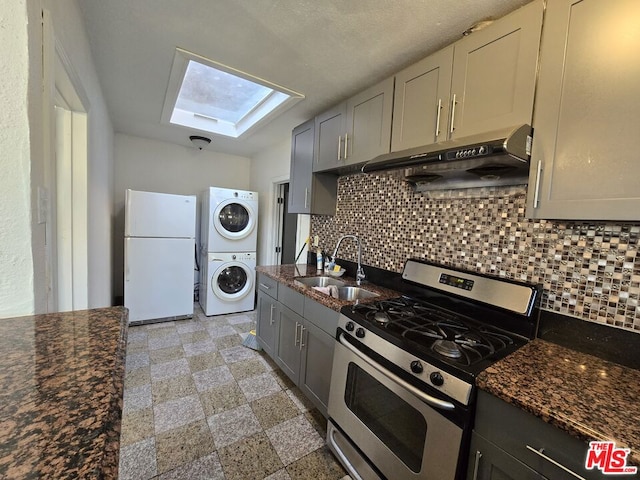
[[421, 102]]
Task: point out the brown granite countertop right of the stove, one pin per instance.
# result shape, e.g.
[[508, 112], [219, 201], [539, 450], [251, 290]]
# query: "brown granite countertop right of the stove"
[[589, 398]]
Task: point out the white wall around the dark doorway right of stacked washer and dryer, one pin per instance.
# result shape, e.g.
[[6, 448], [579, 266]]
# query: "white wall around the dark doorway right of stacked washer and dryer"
[[269, 168]]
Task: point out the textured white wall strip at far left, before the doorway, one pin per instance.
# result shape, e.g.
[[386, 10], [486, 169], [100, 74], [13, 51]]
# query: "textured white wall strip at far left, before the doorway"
[[16, 264]]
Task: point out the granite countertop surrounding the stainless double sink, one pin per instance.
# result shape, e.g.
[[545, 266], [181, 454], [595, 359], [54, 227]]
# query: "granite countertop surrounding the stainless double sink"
[[286, 274]]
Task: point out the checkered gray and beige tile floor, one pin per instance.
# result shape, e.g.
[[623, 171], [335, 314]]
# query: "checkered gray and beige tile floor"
[[199, 405]]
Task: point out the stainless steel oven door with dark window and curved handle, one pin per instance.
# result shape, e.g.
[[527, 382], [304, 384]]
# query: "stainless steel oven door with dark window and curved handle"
[[398, 428]]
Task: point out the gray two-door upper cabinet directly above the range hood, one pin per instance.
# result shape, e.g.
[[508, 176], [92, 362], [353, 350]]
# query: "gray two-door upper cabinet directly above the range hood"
[[484, 82]]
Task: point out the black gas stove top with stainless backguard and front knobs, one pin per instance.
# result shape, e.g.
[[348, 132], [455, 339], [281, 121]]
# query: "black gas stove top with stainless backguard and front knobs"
[[456, 321]]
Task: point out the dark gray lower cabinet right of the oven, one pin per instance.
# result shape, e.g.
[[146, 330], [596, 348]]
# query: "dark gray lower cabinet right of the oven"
[[509, 443]]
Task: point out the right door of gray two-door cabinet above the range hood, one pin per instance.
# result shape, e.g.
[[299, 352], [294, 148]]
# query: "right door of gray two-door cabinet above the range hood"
[[494, 74]]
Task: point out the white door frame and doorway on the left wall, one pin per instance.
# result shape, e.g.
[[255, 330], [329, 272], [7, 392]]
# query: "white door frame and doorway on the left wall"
[[66, 178]]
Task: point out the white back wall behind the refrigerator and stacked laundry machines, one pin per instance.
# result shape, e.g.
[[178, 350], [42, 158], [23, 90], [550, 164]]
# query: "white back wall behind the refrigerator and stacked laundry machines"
[[151, 165]]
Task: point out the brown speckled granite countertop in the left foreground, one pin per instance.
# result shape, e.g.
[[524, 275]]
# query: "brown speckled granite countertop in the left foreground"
[[61, 384]]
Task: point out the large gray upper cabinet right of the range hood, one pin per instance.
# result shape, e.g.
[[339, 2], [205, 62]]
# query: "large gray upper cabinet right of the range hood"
[[584, 156]]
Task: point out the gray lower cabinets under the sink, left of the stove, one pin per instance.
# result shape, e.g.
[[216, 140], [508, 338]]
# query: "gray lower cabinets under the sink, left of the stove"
[[298, 334]]
